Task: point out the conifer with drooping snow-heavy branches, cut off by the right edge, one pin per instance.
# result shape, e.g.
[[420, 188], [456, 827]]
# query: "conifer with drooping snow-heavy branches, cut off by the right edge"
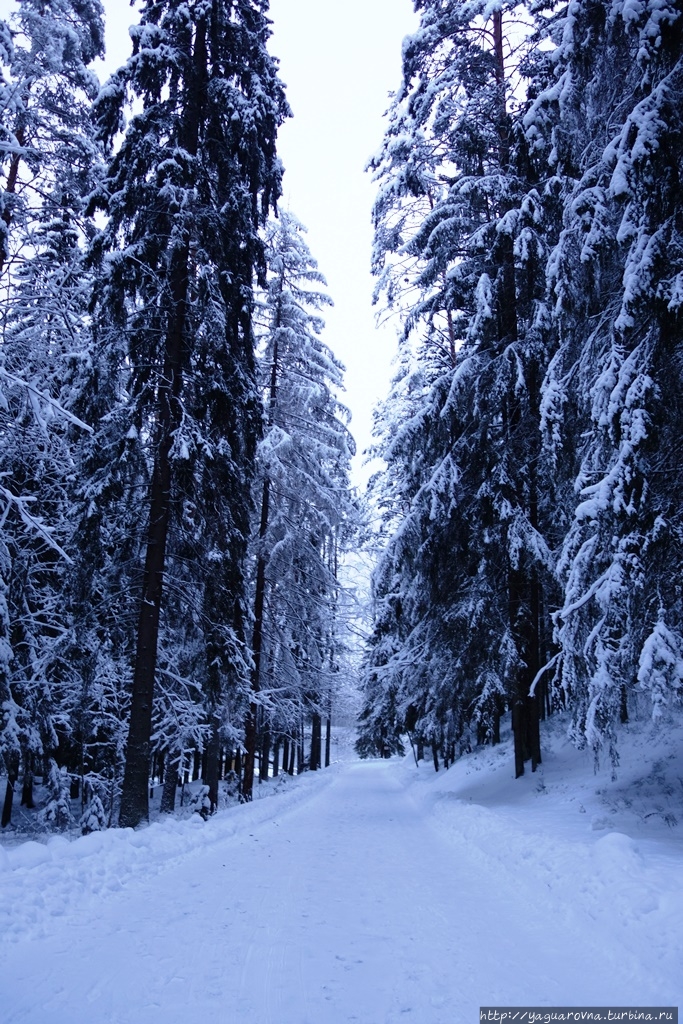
[[611, 126]]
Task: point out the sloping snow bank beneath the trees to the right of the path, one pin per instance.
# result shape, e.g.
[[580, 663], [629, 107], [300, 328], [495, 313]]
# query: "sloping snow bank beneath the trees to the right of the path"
[[590, 851]]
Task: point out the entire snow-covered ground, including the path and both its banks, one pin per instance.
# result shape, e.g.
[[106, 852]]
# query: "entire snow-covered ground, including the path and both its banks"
[[371, 892]]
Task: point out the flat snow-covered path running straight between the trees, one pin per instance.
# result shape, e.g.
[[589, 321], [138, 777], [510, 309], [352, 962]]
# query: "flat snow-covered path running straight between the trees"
[[347, 906]]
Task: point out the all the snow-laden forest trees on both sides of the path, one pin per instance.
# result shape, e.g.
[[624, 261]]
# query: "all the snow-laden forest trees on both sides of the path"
[[175, 460]]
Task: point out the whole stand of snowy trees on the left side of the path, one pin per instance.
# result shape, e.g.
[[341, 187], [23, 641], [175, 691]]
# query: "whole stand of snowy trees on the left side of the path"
[[175, 459]]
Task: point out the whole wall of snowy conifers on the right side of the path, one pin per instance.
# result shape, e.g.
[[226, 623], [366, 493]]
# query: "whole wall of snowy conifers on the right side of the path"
[[530, 231]]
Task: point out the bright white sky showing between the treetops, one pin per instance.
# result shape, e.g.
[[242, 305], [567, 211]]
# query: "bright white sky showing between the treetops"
[[339, 59]]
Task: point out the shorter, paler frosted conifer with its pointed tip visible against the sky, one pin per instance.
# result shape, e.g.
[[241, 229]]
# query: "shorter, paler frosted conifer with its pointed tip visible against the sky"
[[305, 501]]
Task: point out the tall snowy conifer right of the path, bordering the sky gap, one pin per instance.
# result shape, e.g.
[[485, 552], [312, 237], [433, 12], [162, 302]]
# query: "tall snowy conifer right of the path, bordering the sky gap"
[[460, 246]]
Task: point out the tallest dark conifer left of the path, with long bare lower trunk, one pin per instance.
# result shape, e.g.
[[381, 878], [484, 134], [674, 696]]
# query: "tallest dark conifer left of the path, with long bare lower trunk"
[[195, 174]]
